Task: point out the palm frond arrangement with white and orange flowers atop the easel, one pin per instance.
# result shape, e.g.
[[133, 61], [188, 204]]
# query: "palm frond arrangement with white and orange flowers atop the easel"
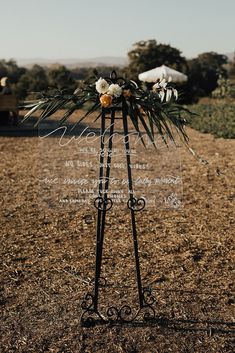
[[153, 110]]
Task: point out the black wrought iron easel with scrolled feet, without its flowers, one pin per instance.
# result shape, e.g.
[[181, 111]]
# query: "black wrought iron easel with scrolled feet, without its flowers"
[[90, 305]]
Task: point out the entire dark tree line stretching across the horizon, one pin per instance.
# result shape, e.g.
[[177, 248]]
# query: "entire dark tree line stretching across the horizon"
[[203, 71]]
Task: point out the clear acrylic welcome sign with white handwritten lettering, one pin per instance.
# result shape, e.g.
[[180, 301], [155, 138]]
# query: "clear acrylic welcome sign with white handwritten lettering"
[[69, 165]]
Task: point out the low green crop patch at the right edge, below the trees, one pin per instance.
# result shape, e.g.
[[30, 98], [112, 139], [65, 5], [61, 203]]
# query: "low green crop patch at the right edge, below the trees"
[[217, 119]]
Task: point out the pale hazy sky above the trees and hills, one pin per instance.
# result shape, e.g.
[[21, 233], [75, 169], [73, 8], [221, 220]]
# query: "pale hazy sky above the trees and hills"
[[55, 29]]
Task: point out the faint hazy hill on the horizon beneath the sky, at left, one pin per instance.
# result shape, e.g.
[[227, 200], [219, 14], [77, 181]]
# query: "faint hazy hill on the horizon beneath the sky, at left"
[[72, 63]]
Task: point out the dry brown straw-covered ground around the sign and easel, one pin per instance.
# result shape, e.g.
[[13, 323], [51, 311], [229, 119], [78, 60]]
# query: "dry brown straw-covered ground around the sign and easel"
[[47, 261]]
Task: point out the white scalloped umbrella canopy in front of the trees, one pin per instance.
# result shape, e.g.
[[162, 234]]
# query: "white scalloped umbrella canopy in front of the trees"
[[162, 72]]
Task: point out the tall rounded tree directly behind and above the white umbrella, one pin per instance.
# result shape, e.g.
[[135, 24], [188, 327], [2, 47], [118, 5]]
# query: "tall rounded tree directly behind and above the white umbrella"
[[147, 55]]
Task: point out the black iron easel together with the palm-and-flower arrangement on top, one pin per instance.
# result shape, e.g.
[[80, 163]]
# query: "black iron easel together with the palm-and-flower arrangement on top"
[[149, 109]]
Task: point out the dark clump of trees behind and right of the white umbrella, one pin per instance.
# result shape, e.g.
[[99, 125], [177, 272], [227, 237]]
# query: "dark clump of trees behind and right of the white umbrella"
[[203, 71]]
